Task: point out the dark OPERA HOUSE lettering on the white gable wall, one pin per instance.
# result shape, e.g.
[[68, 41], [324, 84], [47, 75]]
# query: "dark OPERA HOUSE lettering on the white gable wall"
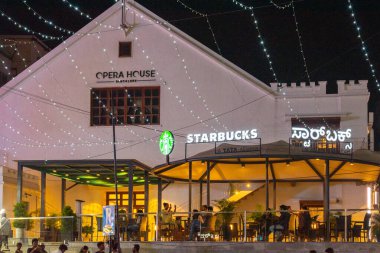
[[129, 76]]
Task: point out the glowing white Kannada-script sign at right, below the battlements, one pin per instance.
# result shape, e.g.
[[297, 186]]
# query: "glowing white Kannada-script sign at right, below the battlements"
[[308, 134]]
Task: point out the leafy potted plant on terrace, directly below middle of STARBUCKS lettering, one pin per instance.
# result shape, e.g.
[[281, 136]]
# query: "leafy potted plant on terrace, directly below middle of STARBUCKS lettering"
[[226, 215]]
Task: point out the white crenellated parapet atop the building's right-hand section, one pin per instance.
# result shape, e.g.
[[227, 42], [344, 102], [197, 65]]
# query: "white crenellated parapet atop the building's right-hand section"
[[350, 87]]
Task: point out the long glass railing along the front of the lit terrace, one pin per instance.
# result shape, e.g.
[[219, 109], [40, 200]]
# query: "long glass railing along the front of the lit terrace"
[[343, 225]]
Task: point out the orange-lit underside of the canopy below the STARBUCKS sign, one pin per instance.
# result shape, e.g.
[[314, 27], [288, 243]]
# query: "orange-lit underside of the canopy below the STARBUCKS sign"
[[253, 169]]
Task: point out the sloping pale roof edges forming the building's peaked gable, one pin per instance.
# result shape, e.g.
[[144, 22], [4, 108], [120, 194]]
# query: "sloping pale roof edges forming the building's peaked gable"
[[112, 10]]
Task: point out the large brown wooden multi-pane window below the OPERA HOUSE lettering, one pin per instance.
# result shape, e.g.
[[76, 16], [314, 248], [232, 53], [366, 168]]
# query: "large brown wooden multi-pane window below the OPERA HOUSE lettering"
[[135, 105]]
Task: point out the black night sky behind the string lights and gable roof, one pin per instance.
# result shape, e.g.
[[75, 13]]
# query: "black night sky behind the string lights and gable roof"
[[330, 42]]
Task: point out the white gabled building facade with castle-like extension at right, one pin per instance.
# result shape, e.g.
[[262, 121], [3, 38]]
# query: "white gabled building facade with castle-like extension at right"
[[161, 79]]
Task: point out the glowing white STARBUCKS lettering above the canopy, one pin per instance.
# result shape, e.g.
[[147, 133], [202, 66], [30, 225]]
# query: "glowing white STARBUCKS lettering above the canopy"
[[222, 136]]
